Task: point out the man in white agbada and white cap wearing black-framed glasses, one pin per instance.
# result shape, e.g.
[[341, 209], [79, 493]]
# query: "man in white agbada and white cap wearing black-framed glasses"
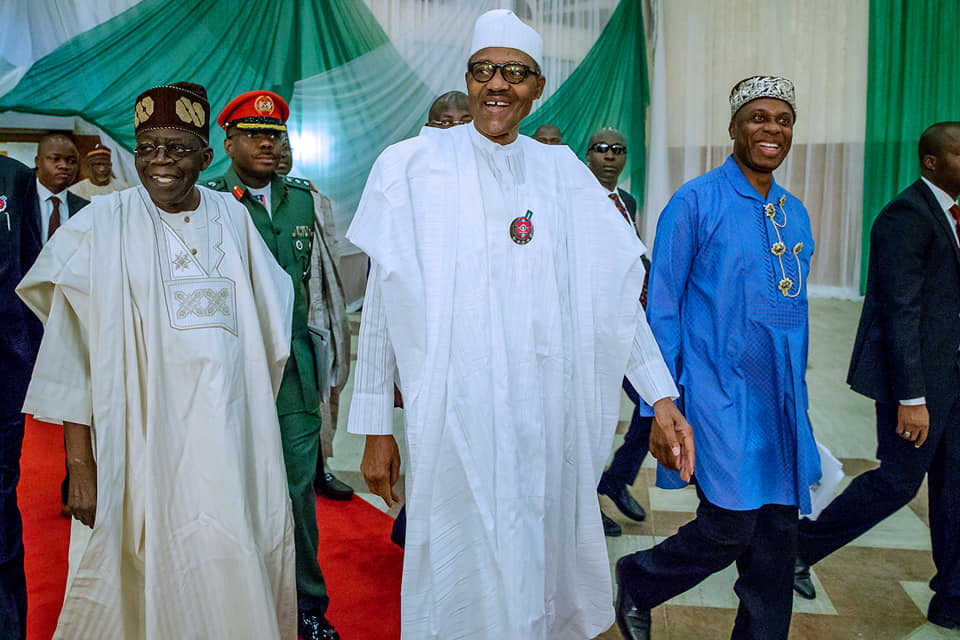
[[504, 295]]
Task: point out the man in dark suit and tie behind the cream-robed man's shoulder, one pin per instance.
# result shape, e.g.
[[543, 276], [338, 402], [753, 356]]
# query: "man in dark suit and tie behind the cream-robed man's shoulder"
[[57, 163]]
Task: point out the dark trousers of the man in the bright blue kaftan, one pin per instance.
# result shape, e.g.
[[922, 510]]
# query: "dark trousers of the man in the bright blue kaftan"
[[761, 541]]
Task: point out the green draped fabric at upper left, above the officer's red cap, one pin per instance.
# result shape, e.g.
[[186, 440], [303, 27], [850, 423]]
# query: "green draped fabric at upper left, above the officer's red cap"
[[225, 45]]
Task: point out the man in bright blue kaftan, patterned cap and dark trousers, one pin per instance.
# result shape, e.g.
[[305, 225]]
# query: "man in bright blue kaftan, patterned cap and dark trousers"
[[728, 307]]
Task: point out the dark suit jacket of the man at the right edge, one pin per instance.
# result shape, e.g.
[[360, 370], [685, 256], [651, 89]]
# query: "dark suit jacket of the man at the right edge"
[[909, 331]]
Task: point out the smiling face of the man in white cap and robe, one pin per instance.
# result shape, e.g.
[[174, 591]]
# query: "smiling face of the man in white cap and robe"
[[498, 106]]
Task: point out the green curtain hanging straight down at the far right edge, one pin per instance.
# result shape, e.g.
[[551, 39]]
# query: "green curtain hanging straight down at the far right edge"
[[914, 59]]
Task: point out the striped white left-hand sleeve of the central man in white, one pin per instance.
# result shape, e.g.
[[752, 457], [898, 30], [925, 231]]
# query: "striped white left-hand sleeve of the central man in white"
[[371, 407]]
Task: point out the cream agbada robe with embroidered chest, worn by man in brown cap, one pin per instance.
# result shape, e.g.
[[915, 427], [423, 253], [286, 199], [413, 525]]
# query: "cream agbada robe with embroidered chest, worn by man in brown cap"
[[175, 362]]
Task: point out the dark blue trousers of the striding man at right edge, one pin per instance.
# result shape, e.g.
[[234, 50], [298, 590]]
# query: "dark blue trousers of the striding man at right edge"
[[876, 494]]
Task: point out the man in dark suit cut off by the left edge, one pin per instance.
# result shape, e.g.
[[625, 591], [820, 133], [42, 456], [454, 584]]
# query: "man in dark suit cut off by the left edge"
[[19, 341]]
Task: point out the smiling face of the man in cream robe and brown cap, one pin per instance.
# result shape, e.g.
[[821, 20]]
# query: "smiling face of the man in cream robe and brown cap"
[[169, 181]]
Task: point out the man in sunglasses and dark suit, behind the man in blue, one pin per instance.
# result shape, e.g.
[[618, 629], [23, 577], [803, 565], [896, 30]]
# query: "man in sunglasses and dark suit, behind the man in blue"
[[606, 157]]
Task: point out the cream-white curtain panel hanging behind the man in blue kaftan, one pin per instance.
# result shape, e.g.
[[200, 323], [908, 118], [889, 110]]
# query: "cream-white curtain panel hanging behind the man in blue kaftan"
[[701, 49]]
